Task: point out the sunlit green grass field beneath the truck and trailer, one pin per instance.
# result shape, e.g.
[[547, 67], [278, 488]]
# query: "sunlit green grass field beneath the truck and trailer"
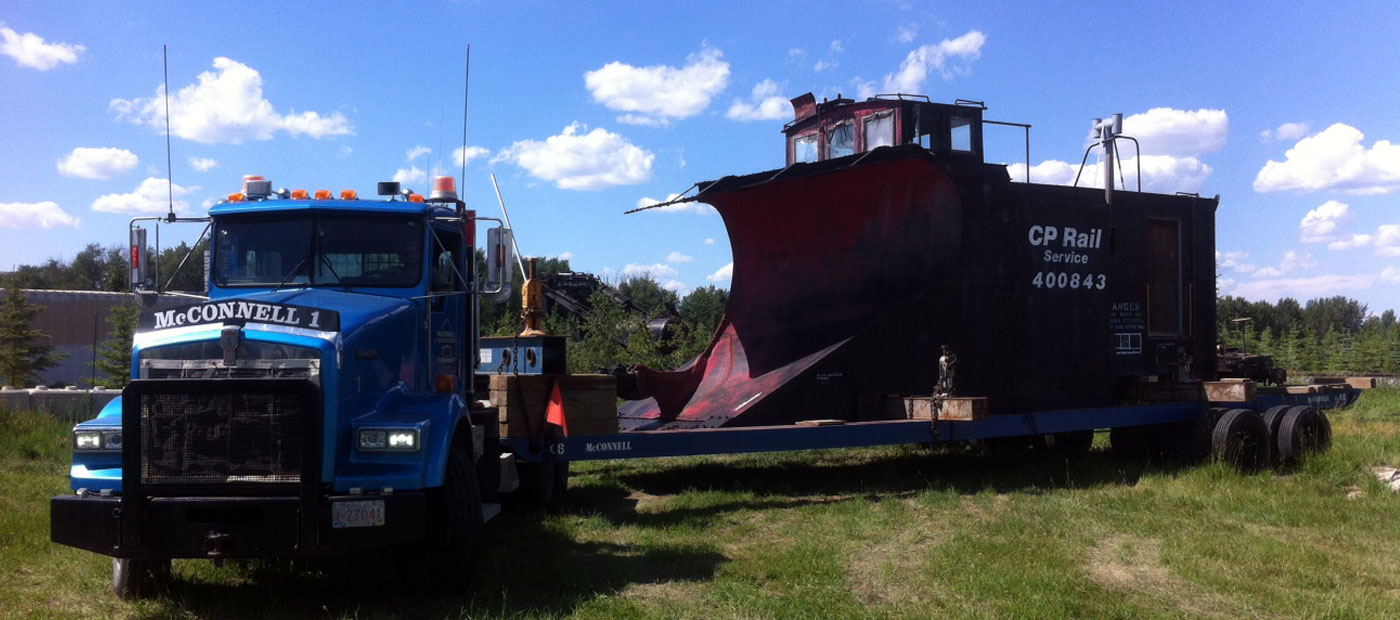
[[881, 533]]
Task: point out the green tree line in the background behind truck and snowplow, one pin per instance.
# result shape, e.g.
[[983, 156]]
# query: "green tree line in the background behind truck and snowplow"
[[1333, 335]]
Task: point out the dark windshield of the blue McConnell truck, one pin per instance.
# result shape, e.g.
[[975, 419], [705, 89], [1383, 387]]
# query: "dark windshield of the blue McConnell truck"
[[318, 250]]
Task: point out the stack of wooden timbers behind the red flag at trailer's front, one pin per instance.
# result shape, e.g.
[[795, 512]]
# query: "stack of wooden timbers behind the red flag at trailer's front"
[[590, 404]]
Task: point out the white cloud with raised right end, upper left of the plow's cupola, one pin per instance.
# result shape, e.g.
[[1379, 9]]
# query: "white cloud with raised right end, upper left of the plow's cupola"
[[659, 94]]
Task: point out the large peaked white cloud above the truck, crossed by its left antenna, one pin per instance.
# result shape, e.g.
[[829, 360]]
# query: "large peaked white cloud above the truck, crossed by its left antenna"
[[227, 106]]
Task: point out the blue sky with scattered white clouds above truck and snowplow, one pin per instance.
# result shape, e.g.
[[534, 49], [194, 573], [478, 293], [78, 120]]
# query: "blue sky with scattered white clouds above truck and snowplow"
[[1291, 113]]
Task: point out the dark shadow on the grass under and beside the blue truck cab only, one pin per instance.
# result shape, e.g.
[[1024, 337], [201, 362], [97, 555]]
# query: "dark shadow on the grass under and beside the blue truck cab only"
[[530, 569]]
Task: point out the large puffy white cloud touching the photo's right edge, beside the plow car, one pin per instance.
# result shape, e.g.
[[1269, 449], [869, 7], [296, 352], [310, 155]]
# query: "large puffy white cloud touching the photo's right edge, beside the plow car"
[[1333, 160]]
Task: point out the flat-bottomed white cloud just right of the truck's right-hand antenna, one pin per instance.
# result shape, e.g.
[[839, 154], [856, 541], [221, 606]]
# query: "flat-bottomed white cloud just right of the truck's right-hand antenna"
[[576, 160]]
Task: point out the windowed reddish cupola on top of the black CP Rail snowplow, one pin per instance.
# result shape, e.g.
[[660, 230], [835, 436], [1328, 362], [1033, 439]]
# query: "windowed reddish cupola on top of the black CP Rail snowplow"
[[841, 128]]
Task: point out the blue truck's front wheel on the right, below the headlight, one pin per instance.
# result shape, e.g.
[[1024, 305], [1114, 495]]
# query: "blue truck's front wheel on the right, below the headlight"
[[456, 538]]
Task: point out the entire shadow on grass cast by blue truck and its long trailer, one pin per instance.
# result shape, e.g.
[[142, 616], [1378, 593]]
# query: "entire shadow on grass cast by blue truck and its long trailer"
[[541, 566]]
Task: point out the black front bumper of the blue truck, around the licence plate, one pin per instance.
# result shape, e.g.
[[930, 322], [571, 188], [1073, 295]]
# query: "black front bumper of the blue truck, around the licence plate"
[[229, 527]]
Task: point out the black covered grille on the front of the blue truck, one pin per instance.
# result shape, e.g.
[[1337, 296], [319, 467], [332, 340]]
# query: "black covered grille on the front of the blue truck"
[[225, 433]]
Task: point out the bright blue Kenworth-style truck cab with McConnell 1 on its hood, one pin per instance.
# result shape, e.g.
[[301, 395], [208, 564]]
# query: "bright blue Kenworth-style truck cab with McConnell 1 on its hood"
[[317, 402]]
